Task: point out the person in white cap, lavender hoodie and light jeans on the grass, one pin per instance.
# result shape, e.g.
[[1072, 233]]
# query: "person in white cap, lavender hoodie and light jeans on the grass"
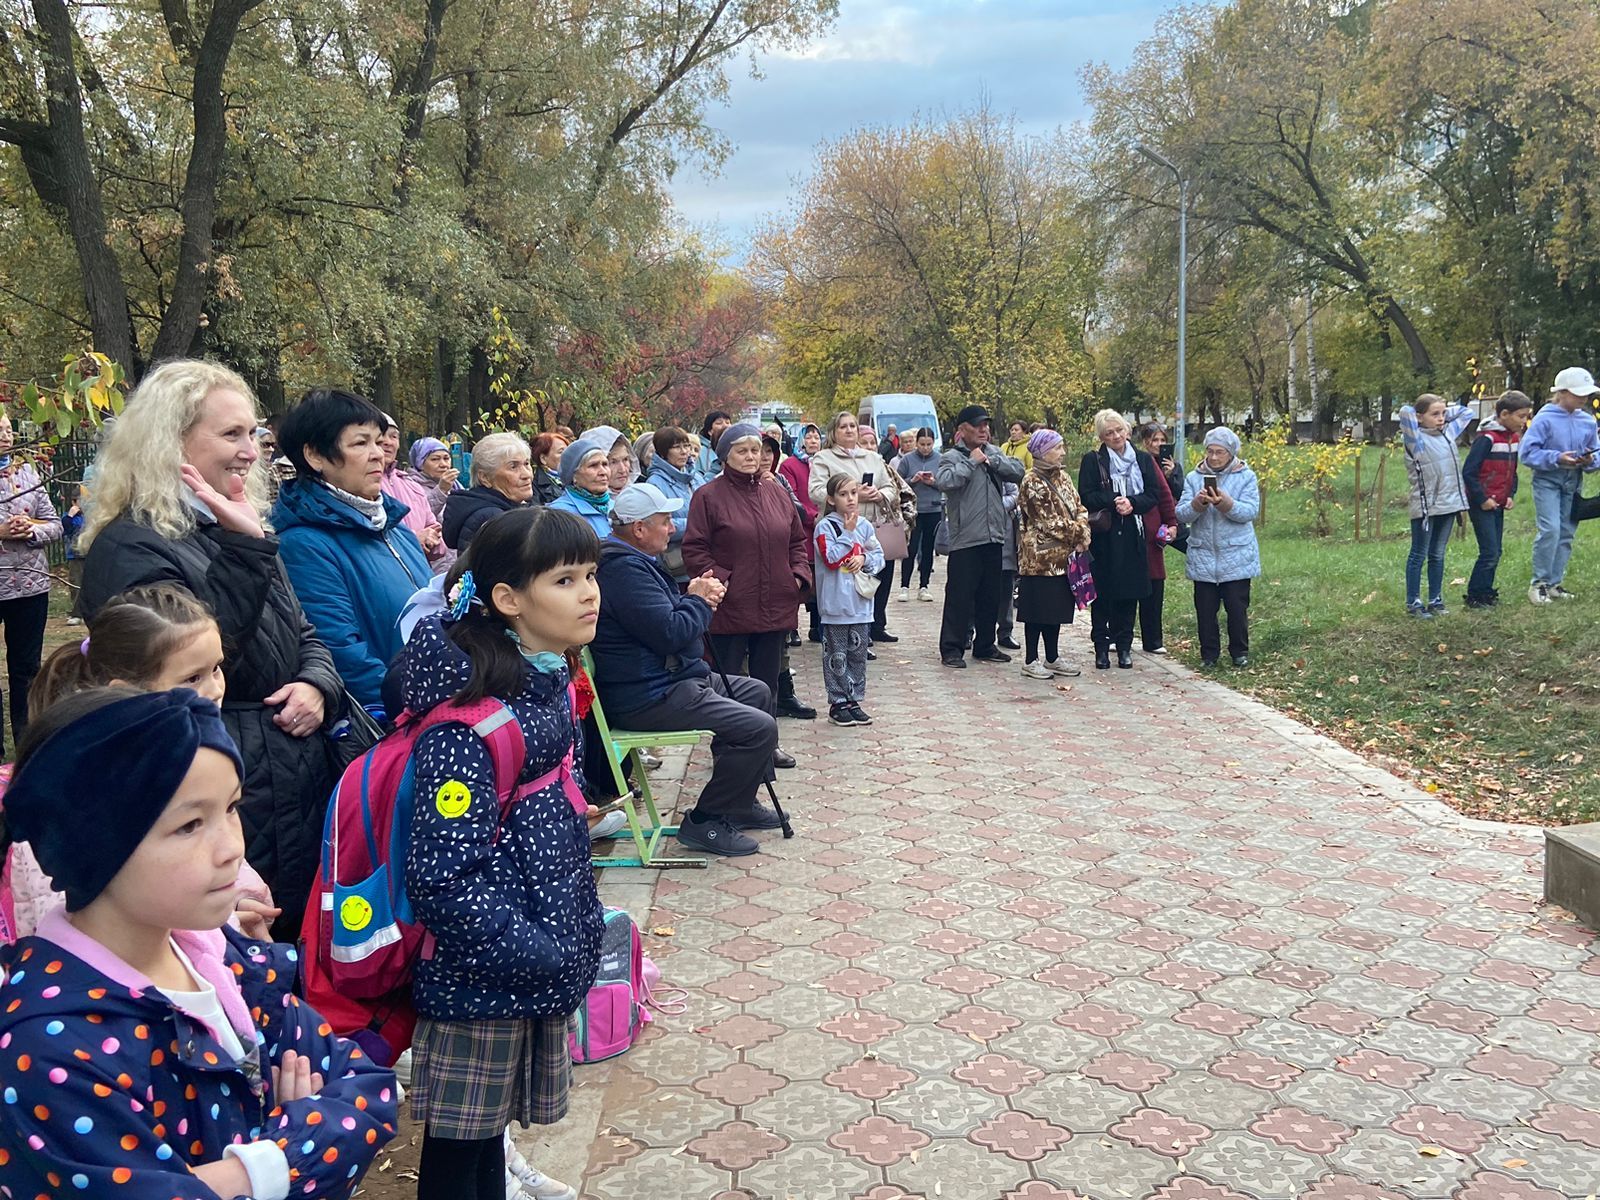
[[1559, 447]]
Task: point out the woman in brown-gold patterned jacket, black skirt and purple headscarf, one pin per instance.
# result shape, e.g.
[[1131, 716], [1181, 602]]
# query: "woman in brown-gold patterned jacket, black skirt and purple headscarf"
[[1052, 527]]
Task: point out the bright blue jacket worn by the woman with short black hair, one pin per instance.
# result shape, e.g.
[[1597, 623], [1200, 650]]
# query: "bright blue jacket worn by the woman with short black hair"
[[351, 580]]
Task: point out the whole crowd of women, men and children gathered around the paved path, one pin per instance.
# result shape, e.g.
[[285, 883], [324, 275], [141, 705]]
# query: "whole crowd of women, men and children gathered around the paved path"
[[250, 631]]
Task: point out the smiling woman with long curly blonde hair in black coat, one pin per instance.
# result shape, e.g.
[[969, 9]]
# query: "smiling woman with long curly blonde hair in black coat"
[[190, 514]]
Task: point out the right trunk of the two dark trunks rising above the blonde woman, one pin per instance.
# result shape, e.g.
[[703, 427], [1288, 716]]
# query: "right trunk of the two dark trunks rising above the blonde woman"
[[191, 286]]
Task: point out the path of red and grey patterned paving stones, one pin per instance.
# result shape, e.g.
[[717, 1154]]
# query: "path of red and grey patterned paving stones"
[[1137, 937]]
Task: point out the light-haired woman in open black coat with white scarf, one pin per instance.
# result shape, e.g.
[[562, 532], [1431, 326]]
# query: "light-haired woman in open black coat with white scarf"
[[1121, 481]]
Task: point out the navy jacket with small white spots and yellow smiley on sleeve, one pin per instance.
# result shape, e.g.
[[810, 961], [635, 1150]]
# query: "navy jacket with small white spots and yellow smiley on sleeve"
[[513, 905]]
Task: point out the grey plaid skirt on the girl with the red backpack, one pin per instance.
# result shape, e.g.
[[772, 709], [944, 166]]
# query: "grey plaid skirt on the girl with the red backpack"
[[471, 1079]]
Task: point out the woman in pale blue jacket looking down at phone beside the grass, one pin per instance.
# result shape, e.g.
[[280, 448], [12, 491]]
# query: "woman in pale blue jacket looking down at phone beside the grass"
[[1222, 500]]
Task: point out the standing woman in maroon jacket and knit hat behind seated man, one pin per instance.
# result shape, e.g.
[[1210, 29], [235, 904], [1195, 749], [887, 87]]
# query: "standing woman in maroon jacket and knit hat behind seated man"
[[745, 530]]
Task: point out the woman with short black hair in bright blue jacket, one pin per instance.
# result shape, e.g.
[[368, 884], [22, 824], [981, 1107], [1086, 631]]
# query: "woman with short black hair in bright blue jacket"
[[351, 561]]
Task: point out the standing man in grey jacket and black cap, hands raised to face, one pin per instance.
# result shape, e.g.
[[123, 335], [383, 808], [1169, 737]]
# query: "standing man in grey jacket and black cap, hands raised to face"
[[974, 476]]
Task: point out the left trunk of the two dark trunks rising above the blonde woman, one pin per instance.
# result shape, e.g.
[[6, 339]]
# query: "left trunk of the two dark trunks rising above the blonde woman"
[[105, 294]]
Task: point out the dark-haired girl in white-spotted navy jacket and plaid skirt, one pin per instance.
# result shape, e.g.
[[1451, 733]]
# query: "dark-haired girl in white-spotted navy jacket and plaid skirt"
[[510, 897]]
